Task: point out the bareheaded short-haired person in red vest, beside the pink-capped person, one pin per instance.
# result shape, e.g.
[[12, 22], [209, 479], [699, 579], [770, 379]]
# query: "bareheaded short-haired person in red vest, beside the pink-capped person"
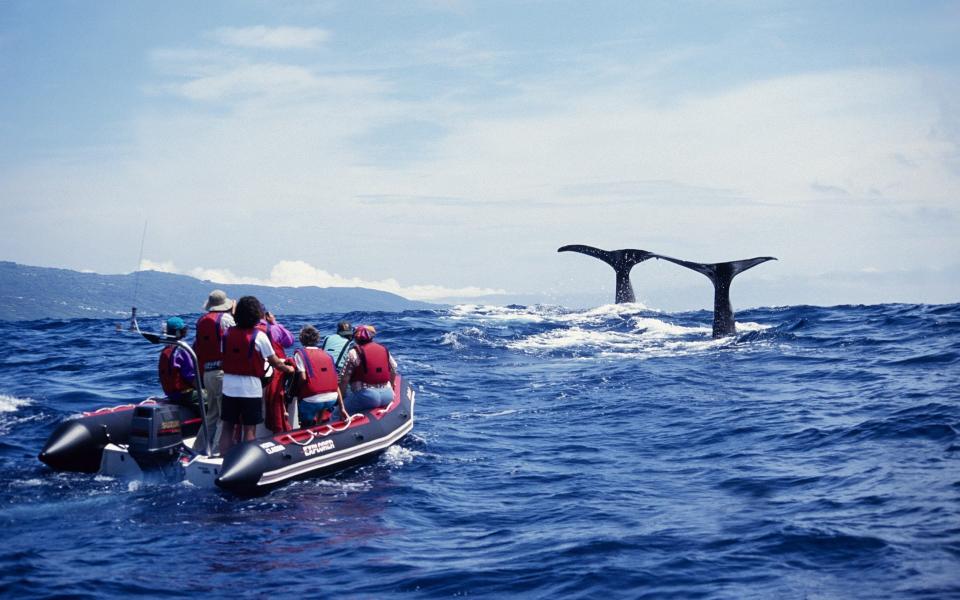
[[318, 385]]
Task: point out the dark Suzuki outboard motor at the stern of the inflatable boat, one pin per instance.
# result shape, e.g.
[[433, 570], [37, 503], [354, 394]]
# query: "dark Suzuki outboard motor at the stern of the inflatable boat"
[[155, 436]]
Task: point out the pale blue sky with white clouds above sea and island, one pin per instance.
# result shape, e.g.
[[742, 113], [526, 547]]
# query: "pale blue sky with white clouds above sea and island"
[[445, 149]]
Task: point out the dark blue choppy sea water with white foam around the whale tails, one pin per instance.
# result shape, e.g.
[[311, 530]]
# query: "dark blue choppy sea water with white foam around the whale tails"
[[609, 453]]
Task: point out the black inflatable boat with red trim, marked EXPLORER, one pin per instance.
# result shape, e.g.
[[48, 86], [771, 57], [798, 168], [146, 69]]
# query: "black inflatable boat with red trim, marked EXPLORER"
[[157, 438]]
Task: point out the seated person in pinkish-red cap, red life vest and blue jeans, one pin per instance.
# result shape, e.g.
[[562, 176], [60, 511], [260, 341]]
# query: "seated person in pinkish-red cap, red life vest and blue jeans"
[[369, 372]]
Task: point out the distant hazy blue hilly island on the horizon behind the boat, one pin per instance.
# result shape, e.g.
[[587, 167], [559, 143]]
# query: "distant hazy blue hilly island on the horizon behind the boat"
[[28, 293]]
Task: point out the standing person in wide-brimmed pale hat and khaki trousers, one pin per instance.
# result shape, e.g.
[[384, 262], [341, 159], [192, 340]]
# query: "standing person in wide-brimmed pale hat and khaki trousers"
[[208, 345]]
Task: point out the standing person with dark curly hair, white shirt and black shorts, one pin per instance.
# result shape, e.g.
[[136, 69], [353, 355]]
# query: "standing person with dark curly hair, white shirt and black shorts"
[[246, 354]]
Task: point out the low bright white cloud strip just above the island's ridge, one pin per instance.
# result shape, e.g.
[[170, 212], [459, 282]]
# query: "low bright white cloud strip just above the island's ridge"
[[297, 273]]
